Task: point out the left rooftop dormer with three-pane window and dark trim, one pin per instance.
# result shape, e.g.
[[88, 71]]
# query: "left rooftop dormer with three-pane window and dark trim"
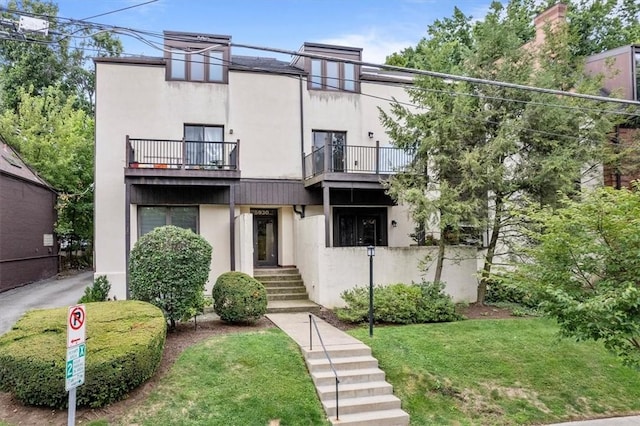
[[197, 57]]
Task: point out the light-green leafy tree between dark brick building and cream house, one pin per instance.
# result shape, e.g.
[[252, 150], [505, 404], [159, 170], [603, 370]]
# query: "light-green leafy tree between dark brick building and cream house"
[[56, 139]]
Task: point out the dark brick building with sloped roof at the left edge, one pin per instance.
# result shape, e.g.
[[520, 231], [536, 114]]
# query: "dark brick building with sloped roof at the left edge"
[[28, 249]]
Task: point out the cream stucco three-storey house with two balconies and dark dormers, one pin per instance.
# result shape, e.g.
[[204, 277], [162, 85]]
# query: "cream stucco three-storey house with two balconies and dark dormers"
[[274, 163]]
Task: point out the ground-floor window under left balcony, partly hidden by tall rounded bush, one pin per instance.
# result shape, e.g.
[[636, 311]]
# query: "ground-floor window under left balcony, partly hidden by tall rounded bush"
[[152, 217]]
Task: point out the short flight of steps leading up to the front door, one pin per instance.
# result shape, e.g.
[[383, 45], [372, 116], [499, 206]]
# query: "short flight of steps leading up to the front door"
[[285, 290]]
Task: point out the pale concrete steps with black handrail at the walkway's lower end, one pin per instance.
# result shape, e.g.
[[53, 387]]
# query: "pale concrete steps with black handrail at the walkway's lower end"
[[364, 397]]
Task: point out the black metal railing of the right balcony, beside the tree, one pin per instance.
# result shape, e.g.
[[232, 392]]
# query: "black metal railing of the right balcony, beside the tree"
[[356, 159]]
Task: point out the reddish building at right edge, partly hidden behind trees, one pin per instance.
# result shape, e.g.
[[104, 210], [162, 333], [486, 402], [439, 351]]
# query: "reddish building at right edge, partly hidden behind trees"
[[621, 70]]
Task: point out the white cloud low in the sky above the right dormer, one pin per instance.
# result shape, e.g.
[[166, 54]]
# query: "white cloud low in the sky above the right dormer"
[[375, 46]]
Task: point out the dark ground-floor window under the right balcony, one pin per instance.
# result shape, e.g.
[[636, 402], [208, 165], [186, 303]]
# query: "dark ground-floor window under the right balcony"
[[361, 226]]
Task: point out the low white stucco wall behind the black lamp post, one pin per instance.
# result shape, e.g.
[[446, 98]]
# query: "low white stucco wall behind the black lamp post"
[[329, 271]]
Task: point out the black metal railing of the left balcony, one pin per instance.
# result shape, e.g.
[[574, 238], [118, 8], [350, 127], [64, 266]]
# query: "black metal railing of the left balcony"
[[182, 154]]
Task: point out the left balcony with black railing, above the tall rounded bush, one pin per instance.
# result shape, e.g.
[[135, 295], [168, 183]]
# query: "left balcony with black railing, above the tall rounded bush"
[[175, 158]]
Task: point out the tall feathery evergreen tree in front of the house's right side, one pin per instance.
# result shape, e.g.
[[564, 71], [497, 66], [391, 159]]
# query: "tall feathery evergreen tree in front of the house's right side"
[[481, 149]]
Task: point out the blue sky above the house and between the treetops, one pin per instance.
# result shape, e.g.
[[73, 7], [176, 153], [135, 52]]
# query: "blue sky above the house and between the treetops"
[[381, 27]]
